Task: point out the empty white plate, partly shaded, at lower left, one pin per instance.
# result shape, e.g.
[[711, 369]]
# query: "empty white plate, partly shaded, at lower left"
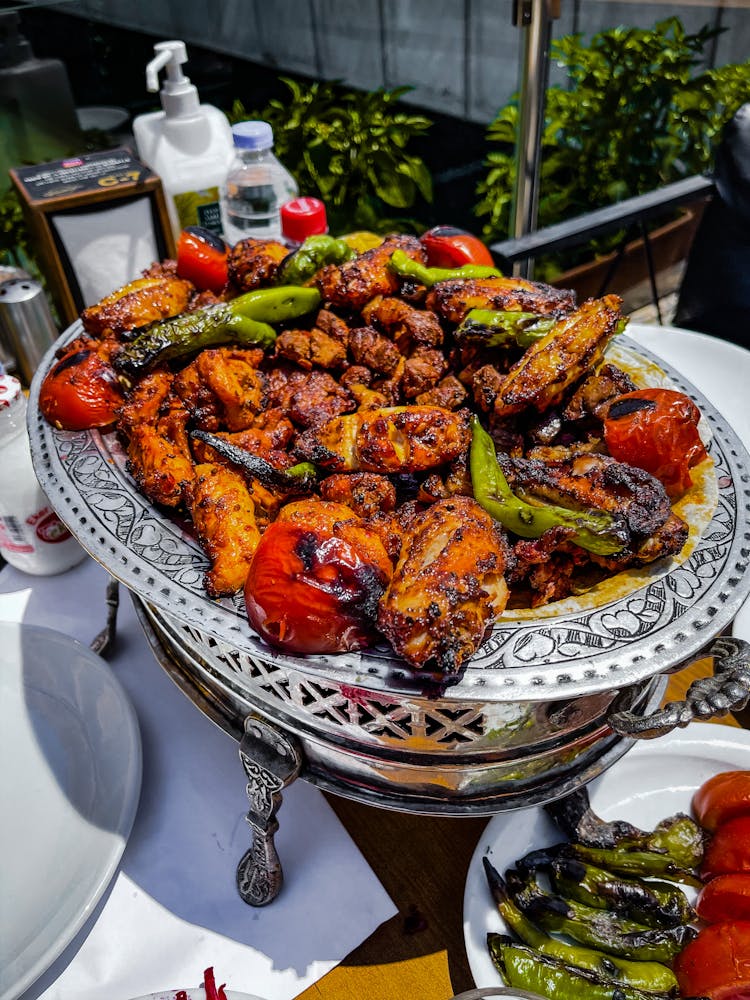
[[70, 777]]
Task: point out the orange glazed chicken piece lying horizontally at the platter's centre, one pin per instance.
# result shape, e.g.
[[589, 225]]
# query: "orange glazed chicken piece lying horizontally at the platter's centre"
[[394, 439]]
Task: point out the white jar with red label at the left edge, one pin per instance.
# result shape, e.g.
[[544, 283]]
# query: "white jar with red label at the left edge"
[[32, 537]]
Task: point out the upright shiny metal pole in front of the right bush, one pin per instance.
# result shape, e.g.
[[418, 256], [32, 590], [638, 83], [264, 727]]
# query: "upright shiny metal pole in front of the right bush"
[[535, 18]]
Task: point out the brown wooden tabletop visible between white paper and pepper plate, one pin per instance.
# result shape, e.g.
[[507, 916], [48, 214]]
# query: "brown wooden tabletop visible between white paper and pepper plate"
[[422, 862]]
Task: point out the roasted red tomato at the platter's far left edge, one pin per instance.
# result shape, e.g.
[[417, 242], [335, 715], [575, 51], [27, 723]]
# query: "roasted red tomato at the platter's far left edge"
[[81, 391]]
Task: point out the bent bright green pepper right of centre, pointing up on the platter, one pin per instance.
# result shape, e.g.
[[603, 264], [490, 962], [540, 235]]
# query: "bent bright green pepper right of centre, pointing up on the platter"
[[596, 531]]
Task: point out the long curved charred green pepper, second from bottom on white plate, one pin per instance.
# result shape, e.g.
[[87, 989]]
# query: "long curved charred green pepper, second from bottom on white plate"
[[644, 975]]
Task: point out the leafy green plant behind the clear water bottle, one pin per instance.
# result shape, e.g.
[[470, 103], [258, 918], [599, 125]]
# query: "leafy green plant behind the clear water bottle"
[[351, 150]]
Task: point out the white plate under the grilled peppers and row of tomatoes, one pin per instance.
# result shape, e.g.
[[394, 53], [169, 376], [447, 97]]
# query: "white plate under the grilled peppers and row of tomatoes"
[[655, 780]]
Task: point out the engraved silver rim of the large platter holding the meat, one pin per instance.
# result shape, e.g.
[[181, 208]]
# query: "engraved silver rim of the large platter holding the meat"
[[651, 621]]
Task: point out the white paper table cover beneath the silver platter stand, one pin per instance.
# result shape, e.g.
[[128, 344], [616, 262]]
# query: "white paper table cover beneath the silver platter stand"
[[173, 909]]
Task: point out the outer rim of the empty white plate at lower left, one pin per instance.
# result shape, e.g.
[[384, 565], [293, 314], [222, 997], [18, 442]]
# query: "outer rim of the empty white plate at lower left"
[[49, 950]]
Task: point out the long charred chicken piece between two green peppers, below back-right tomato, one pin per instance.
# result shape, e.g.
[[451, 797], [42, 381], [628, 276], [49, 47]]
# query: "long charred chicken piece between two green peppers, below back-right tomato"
[[453, 299]]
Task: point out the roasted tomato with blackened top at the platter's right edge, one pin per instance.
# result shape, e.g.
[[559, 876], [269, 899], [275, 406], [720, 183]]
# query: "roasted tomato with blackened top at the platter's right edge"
[[656, 430]]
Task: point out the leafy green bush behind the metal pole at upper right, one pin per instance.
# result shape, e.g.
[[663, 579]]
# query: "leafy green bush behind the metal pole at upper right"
[[639, 112]]
